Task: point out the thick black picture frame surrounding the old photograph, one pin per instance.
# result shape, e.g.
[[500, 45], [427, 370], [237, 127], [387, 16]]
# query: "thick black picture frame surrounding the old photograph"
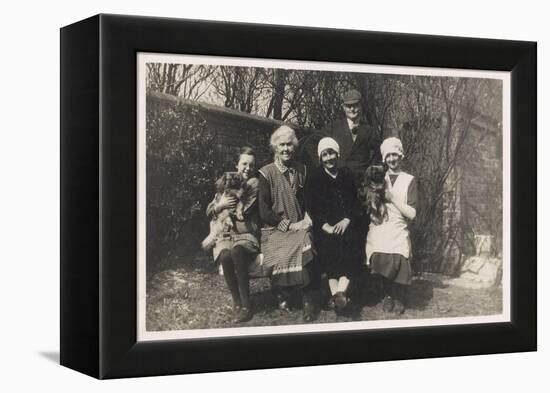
[[98, 196]]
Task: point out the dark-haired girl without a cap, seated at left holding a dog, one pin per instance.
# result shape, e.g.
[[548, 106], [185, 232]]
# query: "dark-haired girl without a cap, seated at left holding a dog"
[[236, 250]]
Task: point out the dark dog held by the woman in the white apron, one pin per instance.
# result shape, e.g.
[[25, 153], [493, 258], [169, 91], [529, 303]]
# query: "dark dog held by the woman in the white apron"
[[373, 192]]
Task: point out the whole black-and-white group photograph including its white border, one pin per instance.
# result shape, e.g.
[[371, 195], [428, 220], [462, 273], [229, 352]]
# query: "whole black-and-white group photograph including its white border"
[[279, 196]]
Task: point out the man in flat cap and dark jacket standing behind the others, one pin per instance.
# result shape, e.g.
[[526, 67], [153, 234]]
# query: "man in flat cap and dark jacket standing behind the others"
[[359, 144]]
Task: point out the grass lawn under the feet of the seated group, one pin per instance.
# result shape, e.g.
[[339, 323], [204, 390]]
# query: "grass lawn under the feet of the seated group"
[[186, 298]]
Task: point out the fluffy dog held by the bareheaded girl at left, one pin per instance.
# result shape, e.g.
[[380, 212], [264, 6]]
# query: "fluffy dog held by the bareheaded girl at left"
[[230, 184]]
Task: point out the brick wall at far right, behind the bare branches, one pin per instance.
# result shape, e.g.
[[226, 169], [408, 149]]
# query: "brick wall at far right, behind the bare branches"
[[474, 205]]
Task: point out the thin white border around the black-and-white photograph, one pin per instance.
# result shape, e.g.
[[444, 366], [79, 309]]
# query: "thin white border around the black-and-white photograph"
[[144, 335]]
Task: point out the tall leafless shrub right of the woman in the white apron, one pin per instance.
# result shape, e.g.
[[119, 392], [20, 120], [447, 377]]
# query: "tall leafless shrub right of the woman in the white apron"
[[439, 113]]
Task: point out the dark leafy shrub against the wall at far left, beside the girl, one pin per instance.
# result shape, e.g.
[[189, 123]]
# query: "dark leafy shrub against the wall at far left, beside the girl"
[[181, 170]]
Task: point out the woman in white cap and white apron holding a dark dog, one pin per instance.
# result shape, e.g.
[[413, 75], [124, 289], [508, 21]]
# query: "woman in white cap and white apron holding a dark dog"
[[388, 245]]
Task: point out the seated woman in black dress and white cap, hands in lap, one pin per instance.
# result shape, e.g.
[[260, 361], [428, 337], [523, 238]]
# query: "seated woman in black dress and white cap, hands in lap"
[[336, 214]]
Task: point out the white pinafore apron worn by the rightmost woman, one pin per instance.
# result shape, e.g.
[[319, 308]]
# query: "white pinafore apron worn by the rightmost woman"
[[392, 235]]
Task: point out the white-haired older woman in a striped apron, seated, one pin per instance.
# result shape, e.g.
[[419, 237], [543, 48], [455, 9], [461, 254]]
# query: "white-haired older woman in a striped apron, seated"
[[286, 241]]
